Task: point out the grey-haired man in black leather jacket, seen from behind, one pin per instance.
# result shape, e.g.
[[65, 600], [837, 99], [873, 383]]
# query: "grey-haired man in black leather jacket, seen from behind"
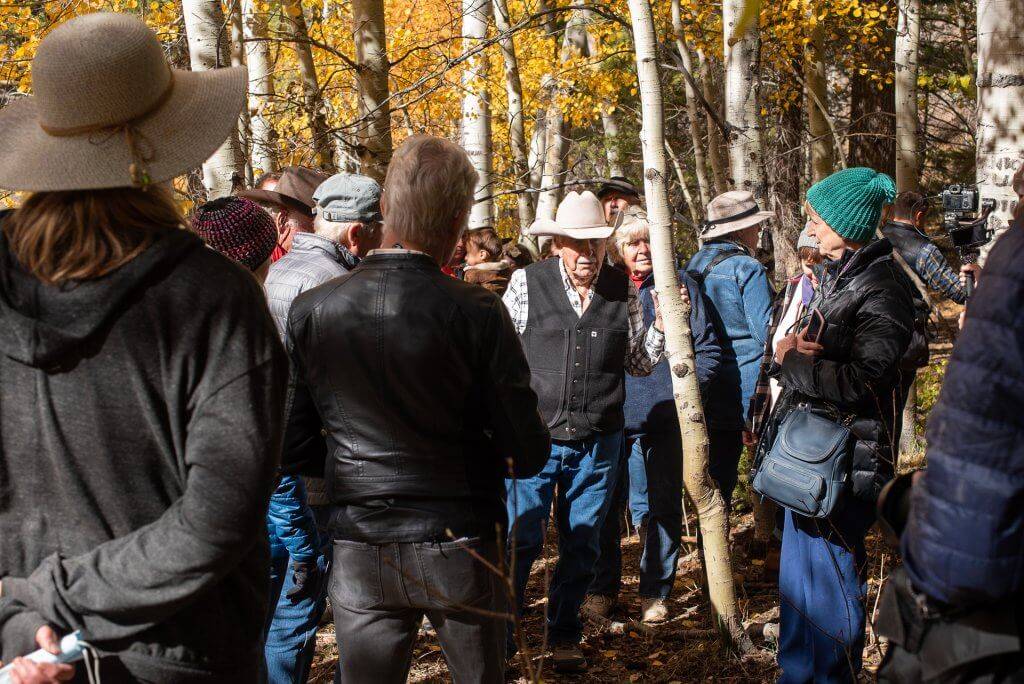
[[422, 390]]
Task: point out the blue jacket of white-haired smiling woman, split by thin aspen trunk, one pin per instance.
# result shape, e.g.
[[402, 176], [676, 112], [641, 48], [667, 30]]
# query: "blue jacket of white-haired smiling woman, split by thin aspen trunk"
[[650, 404]]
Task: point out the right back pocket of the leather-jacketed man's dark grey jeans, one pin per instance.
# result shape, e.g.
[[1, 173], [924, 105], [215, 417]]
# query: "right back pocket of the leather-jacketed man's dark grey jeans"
[[456, 575]]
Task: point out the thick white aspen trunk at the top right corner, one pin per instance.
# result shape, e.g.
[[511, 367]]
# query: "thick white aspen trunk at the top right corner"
[[1001, 105]]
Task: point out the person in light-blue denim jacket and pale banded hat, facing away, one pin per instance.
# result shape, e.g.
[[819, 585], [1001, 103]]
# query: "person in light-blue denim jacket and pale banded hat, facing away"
[[738, 289]]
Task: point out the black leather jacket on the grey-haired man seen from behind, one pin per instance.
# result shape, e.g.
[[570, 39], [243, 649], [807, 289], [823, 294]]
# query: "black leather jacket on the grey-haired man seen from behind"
[[422, 390]]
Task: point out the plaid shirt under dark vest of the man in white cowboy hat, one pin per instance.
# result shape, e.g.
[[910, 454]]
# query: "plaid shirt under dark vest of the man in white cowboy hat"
[[647, 346]]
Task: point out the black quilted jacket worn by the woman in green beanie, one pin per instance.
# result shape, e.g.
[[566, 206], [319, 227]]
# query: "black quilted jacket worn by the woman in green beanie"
[[869, 313]]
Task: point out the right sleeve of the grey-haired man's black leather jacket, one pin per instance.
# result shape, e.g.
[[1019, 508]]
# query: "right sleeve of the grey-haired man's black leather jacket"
[[520, 434]]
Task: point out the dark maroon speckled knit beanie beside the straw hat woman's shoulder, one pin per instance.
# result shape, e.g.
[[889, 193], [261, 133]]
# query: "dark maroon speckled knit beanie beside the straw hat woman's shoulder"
[[239, 229]]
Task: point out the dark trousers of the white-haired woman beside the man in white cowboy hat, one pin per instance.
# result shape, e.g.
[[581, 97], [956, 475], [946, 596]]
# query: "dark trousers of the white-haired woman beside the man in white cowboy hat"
[[655, 493]]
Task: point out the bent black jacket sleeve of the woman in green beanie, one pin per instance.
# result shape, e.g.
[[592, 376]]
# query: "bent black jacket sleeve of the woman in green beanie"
[[880, 337]]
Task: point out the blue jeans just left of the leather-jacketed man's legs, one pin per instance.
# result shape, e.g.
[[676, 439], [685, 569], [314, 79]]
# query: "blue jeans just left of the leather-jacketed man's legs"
[[291, 633]]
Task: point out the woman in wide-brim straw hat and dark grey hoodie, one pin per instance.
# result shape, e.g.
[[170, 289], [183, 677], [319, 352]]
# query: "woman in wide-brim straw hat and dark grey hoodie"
[[143, 379]]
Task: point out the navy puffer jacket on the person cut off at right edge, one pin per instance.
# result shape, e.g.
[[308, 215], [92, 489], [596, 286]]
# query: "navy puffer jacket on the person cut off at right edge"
[[964, 542]]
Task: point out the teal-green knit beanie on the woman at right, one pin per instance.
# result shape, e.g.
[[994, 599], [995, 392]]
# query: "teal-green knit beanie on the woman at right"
[[850, 201]]
